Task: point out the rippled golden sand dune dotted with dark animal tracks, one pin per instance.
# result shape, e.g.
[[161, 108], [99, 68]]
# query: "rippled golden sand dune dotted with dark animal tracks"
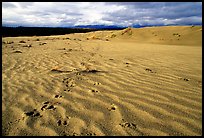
[[142, 82]]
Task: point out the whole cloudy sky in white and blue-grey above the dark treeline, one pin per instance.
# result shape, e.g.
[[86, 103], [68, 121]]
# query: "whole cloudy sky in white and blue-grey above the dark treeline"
[[65, 14]]
